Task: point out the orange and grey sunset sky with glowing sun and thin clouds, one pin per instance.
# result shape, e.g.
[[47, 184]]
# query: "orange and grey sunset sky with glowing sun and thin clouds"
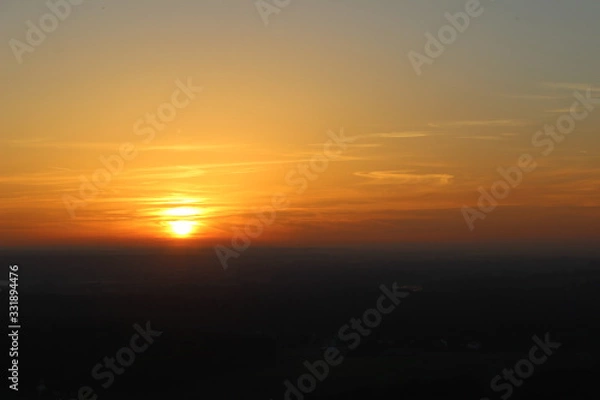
[[247, 104]]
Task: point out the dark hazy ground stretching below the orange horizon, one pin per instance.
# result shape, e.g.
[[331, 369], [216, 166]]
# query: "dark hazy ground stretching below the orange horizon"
[[241, 333]]
